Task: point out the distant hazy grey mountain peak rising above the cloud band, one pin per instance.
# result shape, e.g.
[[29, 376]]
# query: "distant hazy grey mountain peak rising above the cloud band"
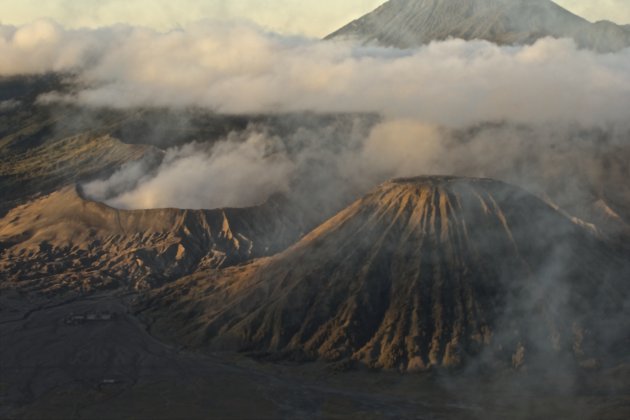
[[411, 23]]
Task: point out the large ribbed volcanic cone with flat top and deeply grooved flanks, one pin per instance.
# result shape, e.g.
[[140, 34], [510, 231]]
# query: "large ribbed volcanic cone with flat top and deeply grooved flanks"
[[419, 273]]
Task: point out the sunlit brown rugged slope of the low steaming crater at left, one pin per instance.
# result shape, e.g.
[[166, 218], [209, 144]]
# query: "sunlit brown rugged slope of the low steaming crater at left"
[[64, 242]]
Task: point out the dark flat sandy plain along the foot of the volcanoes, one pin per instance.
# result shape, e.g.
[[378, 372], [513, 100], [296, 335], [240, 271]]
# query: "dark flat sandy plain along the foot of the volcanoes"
[[116, 370]]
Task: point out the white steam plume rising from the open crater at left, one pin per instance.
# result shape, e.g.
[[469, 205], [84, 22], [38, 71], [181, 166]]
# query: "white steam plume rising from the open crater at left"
[[234, 173]]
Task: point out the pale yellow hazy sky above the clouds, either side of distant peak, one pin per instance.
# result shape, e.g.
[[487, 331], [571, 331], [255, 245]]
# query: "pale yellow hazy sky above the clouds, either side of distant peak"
[[308, 17]]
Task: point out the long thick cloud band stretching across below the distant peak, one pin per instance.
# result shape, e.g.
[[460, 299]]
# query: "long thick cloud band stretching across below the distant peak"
[[238, 68]]
